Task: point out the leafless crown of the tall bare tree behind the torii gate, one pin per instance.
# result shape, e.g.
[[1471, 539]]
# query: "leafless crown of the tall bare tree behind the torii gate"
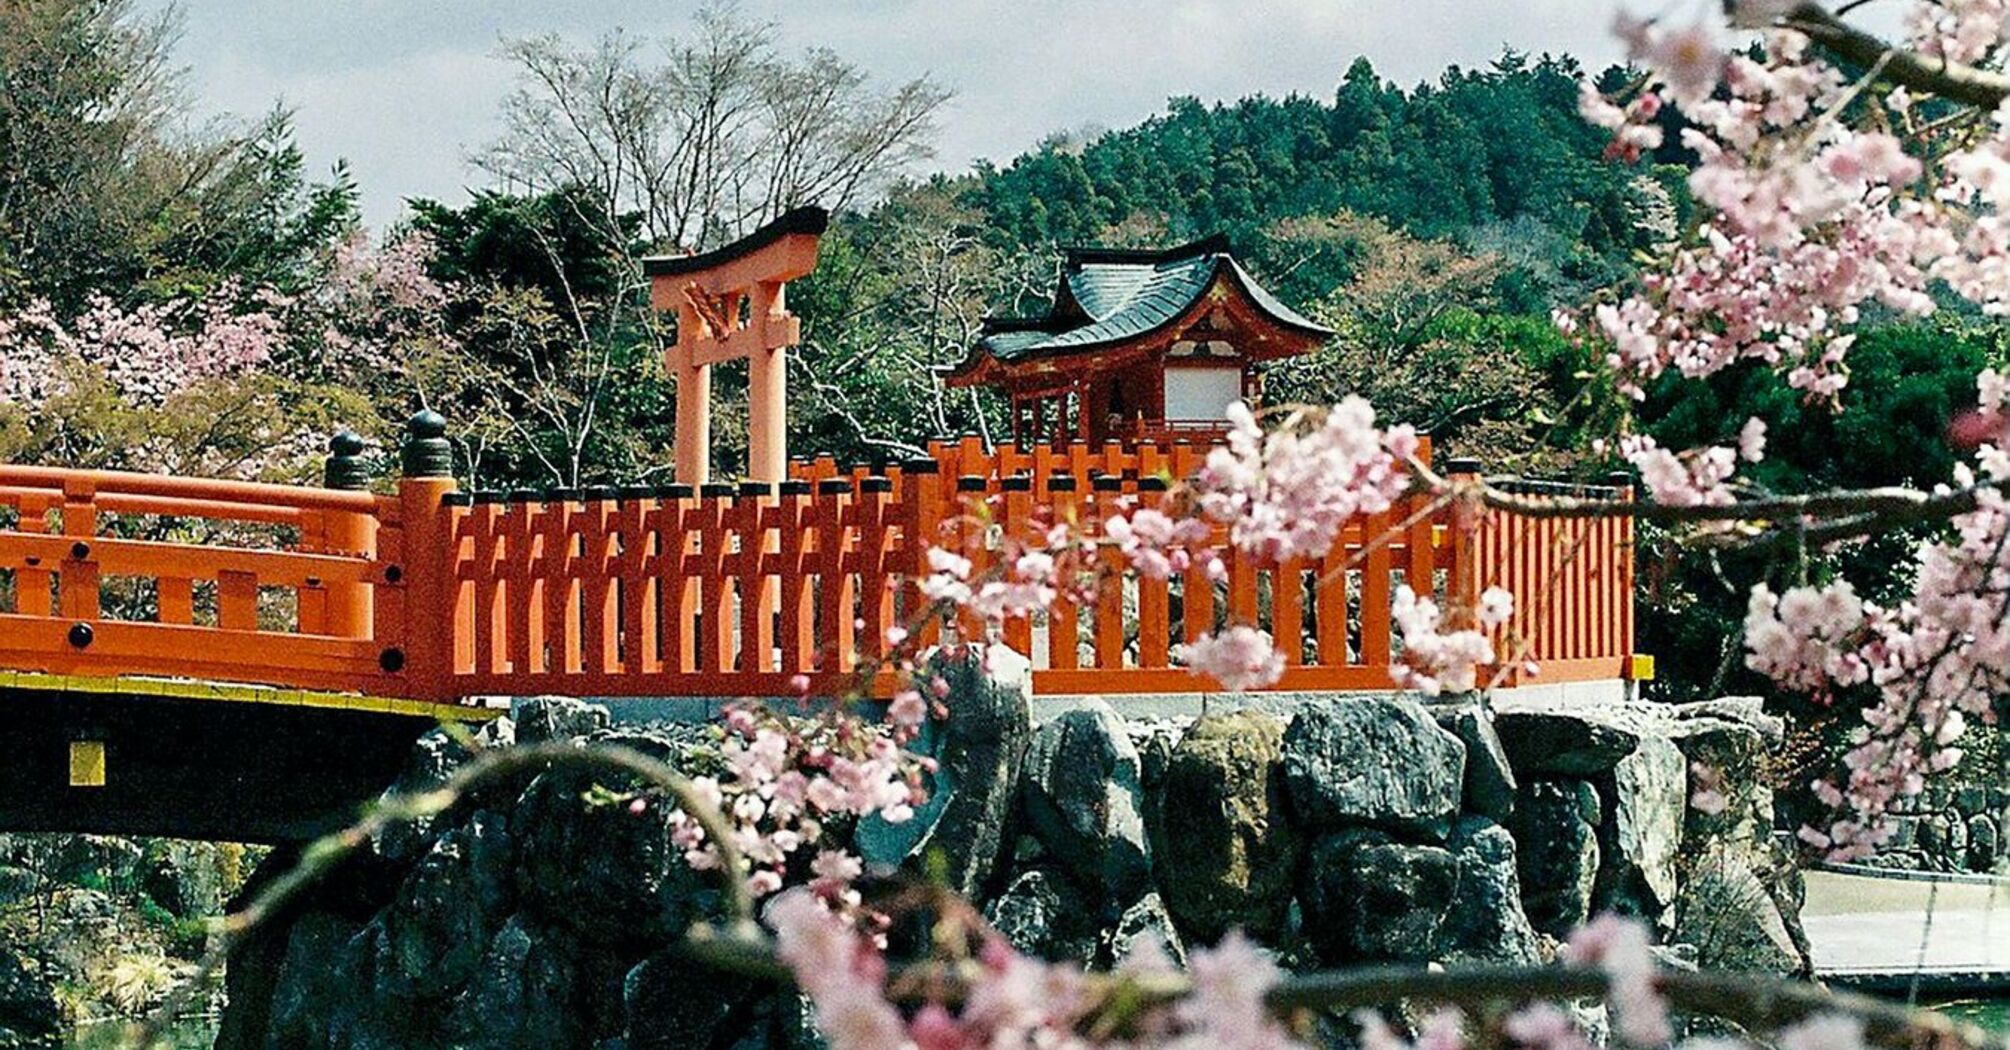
[[715, 138]]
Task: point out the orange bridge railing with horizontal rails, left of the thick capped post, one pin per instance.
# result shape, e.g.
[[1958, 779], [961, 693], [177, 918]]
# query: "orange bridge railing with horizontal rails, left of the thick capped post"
[[110, 572]]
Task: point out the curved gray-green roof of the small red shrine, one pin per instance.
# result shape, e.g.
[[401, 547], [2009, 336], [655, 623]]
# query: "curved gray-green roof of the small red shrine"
[[1113, 297]]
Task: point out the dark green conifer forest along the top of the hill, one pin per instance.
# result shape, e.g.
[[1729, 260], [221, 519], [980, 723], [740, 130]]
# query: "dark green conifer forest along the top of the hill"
[[1462, 158]]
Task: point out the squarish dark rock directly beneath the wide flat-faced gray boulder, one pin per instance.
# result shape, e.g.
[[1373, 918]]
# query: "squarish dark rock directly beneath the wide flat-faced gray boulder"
[[1374, 900]]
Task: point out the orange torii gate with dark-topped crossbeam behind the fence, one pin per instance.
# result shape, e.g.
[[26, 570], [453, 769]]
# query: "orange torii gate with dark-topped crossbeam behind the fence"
[[733, 305]]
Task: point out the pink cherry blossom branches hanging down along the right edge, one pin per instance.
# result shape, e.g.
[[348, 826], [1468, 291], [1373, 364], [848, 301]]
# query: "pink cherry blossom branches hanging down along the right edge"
[[1838, 174]]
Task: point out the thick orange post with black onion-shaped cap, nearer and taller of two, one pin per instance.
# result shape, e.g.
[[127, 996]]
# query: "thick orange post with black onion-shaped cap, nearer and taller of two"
[[435, 617]]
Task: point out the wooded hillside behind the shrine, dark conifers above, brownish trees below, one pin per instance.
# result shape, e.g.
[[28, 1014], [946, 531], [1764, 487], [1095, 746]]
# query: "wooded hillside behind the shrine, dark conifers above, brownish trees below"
[[1432, 226]]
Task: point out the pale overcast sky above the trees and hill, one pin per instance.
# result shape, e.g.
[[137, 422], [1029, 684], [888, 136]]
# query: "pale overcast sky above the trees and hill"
[[405, 90]]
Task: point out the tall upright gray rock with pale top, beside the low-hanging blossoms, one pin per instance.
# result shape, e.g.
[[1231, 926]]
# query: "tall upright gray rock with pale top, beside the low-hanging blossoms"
[[980, 753]]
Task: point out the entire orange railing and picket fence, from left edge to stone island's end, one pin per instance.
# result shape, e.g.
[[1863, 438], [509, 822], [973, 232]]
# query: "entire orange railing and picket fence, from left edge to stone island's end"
[[729, 590]]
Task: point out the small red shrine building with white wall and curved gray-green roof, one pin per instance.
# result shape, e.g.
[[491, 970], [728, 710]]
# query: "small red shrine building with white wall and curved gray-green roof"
[[1139, 347]]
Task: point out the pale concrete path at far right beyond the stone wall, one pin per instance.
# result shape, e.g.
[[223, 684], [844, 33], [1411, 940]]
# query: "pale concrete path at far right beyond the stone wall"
[[1864, 926]]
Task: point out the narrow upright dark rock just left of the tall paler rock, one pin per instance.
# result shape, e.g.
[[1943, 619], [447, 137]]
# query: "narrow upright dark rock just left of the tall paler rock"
[[1557, 852]]
